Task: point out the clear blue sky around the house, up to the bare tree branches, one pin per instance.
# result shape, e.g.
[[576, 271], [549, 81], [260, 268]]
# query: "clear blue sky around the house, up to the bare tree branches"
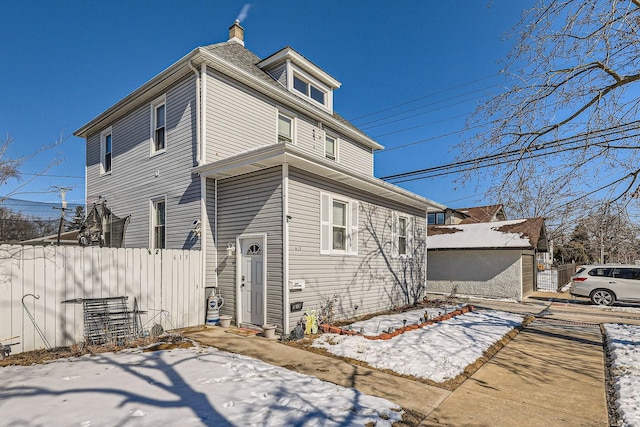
[[64, 62]]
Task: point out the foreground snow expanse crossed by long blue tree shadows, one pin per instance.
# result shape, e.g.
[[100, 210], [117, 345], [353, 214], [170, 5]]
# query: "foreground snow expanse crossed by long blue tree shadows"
[[185, 387]]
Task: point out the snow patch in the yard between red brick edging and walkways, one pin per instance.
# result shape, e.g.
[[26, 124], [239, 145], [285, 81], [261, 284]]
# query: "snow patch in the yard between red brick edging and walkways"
[[436, 352]]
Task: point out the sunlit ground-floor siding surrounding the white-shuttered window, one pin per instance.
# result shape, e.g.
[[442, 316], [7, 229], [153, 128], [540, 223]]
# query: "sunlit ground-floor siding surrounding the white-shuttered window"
[[361, 280]]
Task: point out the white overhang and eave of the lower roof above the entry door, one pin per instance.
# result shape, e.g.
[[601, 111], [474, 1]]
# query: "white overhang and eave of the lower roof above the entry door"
[[281, 153]]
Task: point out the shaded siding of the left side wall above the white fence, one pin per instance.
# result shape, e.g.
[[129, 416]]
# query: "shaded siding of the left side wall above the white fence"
[[133, 181]]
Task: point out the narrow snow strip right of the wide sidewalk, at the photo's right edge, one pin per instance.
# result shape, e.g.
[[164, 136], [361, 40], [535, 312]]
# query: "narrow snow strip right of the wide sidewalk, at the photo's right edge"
[[624, 343]]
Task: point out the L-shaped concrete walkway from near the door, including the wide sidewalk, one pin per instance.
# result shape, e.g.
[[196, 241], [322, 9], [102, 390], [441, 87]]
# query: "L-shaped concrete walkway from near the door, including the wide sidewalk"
[[549, 374]]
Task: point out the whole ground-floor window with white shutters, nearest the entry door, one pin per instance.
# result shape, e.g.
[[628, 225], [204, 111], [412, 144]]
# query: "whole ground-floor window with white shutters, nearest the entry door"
[[338, 225]]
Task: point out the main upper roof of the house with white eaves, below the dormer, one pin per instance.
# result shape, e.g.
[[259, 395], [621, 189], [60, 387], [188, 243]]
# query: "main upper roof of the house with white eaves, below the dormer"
[[238, 63]]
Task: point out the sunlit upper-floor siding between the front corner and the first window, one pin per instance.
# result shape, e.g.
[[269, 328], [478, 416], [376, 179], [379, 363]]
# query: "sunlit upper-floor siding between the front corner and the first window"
[[237, 119]]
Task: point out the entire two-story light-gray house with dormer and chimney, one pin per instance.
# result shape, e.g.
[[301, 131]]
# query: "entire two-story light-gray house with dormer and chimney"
[[245, 159]]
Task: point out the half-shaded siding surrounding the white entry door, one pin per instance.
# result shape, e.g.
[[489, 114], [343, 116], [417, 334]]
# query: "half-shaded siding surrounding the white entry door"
[[247, 204]]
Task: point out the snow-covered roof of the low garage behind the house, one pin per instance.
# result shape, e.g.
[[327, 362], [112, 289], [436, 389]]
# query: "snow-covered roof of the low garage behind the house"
[[514, 234]]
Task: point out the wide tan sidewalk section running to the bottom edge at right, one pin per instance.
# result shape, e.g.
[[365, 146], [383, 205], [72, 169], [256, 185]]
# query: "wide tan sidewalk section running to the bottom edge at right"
[[547, 375]]
